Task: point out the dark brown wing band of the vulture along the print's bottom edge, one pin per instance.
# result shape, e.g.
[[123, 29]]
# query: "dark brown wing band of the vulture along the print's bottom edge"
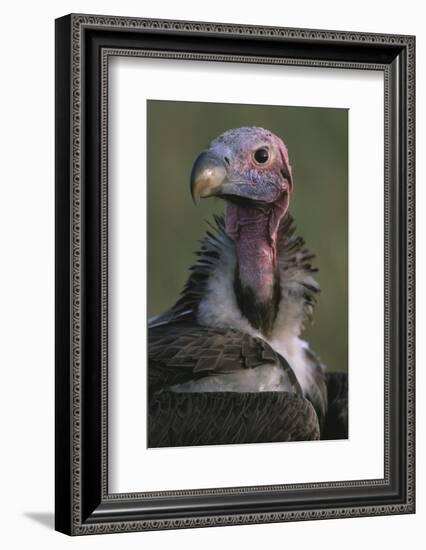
[[180, 419]]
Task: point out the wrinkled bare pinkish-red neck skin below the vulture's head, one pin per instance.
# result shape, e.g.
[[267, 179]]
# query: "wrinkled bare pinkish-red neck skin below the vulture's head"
[[256, 284]]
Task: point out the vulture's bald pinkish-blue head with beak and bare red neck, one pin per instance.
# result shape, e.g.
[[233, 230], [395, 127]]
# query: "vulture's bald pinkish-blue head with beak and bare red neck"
[[249, 168]]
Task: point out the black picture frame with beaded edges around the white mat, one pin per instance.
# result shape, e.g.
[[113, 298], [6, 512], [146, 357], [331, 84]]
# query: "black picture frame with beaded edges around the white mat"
[[83, 44]]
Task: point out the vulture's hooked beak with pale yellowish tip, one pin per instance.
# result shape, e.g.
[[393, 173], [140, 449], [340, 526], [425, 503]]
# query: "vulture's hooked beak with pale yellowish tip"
[[207, 176]]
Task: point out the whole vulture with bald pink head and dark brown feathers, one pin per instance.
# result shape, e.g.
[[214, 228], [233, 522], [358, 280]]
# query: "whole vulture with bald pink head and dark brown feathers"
[[226, 363]]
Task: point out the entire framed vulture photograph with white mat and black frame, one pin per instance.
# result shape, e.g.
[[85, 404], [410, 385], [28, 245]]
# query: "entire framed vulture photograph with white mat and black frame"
[[234, 274]]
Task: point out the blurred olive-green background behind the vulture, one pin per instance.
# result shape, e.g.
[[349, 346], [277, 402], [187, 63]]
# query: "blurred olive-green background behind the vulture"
[[317, 140]]
